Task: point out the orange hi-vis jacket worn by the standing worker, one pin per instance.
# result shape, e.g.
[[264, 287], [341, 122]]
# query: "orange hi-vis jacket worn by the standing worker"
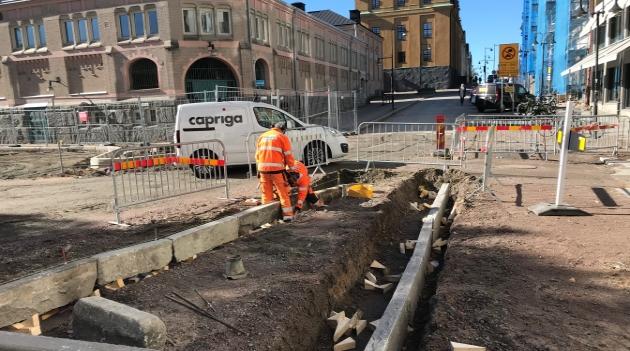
[[273, 152]]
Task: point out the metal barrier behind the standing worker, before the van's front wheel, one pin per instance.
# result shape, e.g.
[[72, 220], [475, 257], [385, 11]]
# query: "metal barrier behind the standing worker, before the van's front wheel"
[[309, 144]]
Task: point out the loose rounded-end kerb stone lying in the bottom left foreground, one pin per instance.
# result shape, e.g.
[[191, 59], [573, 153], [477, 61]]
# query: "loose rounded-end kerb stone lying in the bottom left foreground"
[[102, 320]]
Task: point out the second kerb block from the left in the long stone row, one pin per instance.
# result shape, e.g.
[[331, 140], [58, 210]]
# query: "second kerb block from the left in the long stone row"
[[133, 260]]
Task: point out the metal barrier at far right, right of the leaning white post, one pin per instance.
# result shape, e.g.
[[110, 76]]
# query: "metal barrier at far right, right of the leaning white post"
[[601, 132]]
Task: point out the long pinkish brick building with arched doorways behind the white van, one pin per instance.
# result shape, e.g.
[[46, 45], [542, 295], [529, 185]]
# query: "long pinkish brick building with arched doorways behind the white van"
[[71, 52]]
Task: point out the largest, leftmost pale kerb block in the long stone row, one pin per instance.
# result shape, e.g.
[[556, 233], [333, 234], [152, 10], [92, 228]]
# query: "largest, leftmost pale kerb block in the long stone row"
[[45, 291]]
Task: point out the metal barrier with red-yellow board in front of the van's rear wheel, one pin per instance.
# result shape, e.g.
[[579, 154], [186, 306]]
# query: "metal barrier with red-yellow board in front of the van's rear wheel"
[[145, 174]]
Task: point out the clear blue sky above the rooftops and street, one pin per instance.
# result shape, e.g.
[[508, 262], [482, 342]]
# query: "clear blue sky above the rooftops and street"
[[486, 22]]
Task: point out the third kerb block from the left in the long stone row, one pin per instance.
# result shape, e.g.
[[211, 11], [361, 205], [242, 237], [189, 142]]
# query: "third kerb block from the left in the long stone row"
[[206, 237]]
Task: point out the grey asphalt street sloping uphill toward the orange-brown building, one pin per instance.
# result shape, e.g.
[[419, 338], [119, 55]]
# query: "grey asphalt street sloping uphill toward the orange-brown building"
[[446, 103]]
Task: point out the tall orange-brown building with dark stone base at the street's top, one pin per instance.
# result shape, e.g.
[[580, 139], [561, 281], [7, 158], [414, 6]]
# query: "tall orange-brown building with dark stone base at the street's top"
[[423, 41]]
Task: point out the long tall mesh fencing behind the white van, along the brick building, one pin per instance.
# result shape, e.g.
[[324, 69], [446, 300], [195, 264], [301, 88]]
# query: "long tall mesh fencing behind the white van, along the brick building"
[[151, 119]]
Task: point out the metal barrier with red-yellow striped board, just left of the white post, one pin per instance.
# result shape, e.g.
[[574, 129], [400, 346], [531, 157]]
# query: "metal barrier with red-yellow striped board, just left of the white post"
[[513, 134]]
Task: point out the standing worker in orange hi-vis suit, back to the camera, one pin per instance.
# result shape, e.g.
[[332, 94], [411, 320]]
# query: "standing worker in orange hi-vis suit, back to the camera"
[[273, 157]]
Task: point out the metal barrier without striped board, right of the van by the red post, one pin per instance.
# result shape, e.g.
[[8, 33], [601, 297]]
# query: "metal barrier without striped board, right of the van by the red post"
[[419, 143]]
